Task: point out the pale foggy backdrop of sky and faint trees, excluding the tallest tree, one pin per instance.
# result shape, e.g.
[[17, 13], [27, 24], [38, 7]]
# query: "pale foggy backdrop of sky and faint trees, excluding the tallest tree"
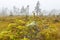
[[14, 7]]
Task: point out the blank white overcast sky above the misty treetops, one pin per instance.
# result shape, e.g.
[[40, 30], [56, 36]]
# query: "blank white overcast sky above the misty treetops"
[[44, 4]]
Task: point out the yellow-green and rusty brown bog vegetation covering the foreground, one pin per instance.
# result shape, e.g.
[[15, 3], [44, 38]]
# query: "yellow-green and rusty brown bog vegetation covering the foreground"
[[30, 28]]
